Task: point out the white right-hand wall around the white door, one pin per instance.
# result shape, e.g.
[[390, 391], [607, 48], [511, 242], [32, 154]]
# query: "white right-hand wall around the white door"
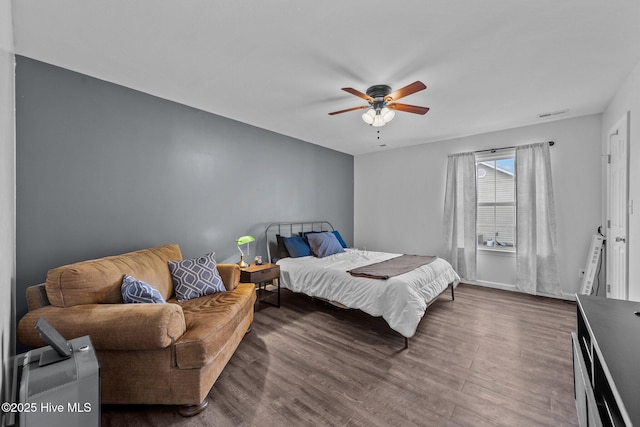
[[627, 99]]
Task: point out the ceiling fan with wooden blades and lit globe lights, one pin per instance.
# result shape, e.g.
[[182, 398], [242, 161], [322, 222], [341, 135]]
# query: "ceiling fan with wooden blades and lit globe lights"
[[382, 105]]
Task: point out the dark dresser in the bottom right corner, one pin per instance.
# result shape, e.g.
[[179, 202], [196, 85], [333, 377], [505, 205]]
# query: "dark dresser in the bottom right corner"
[[606, 362]]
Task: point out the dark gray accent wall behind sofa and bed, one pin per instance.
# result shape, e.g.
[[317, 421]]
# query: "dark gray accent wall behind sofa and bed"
[[103, 169]]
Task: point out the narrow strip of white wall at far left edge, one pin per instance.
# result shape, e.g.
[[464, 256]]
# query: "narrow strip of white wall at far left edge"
[[7, 195]]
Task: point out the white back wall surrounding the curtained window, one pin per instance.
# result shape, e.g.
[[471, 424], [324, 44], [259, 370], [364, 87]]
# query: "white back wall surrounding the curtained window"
[[399, 194]]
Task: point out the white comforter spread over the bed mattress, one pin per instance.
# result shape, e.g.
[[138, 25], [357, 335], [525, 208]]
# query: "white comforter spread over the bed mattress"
[[400, 300]]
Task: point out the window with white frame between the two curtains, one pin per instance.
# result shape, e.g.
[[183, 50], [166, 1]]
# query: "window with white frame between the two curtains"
[[496, 213]]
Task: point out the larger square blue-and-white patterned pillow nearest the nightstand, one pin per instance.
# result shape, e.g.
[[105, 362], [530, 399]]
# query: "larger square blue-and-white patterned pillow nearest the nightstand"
[[195, 277]]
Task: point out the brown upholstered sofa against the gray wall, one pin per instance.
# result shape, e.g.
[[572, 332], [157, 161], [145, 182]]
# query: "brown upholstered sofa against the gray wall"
[[148, 353]]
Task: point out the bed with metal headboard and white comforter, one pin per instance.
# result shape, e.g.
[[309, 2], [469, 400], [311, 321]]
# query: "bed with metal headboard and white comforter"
[[401, 300]]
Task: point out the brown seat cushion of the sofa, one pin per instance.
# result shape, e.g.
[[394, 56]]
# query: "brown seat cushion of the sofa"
[[211, 321]]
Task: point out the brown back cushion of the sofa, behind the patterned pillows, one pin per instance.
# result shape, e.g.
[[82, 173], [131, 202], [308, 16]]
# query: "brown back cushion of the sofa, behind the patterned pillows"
[[98, 281]]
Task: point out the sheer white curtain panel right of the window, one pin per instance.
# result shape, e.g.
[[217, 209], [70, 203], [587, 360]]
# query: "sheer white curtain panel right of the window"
[[536, 247]]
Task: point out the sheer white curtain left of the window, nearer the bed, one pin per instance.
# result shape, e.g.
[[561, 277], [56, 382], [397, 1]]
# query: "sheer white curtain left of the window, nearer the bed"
[[460, 214]]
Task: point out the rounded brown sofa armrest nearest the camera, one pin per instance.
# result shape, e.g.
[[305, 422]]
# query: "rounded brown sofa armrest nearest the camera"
[[110, 326]]
